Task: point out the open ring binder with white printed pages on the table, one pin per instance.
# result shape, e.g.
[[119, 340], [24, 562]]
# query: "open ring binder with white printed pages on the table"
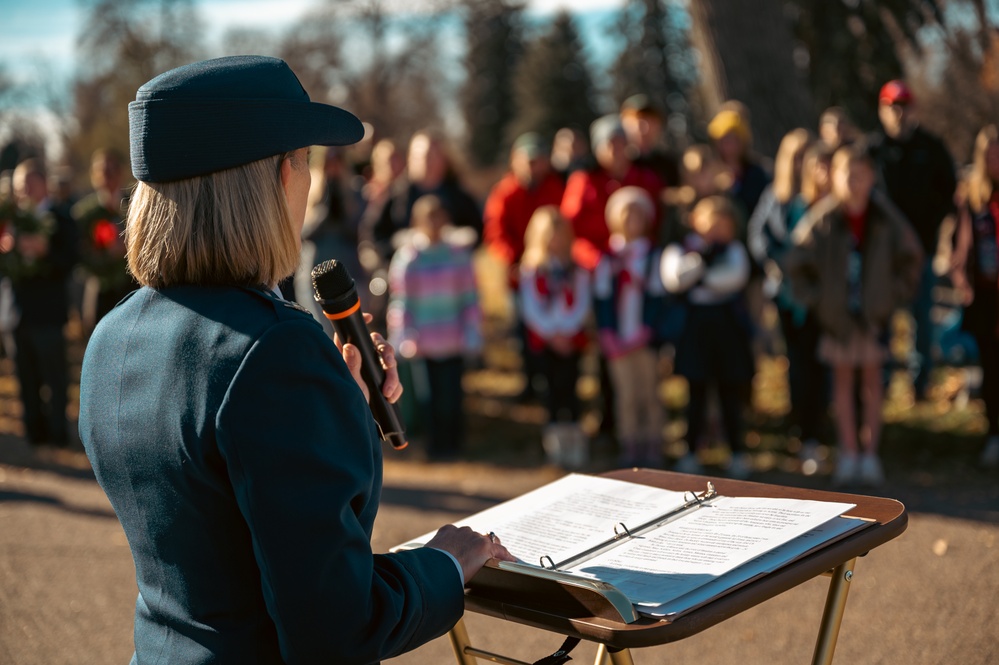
[[656, 552]]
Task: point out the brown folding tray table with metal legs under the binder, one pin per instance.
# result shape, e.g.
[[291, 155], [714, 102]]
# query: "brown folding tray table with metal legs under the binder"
[[584, 612]]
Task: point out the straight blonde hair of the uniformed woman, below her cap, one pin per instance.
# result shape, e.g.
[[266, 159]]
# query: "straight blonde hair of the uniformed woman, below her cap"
[[230, 228]]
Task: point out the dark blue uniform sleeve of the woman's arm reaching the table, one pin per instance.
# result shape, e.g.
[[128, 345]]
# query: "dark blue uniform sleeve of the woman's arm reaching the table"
[[303, 458]]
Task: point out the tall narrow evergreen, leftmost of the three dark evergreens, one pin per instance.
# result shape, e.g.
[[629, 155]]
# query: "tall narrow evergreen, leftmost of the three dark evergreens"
[[494, 34]]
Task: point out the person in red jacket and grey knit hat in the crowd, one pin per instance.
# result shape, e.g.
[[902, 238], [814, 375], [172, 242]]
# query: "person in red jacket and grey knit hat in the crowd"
[[587, 192]]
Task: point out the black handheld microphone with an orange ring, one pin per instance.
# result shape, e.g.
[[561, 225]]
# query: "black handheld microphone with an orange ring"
[[337, 295]]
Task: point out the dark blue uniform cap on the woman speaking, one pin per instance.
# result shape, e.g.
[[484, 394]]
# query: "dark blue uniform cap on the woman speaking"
[[217, 114]]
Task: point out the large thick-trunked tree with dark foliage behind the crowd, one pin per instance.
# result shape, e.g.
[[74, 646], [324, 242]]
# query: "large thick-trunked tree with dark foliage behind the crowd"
[[789, 59]]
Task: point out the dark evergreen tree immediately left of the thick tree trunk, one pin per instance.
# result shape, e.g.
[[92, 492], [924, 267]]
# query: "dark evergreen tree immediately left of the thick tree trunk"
[[655, 59]]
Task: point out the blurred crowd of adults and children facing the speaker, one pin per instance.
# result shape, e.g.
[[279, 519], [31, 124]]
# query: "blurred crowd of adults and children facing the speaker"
[[615, 246]]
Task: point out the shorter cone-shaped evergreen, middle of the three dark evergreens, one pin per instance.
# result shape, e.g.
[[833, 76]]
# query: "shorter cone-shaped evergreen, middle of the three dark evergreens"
[[553, 85]]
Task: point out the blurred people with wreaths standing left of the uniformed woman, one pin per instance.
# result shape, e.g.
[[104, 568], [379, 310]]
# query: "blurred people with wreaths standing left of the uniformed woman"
[[57, 254]]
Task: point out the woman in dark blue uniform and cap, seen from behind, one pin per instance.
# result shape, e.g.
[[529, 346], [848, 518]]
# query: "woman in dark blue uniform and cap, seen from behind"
[[229, 433]]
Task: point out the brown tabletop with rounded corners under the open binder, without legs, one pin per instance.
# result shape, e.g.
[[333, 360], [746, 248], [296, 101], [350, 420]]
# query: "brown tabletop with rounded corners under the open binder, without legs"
[[581, 620]]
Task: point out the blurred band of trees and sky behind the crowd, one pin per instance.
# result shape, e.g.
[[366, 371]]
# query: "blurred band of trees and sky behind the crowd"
[[484, 71]]
